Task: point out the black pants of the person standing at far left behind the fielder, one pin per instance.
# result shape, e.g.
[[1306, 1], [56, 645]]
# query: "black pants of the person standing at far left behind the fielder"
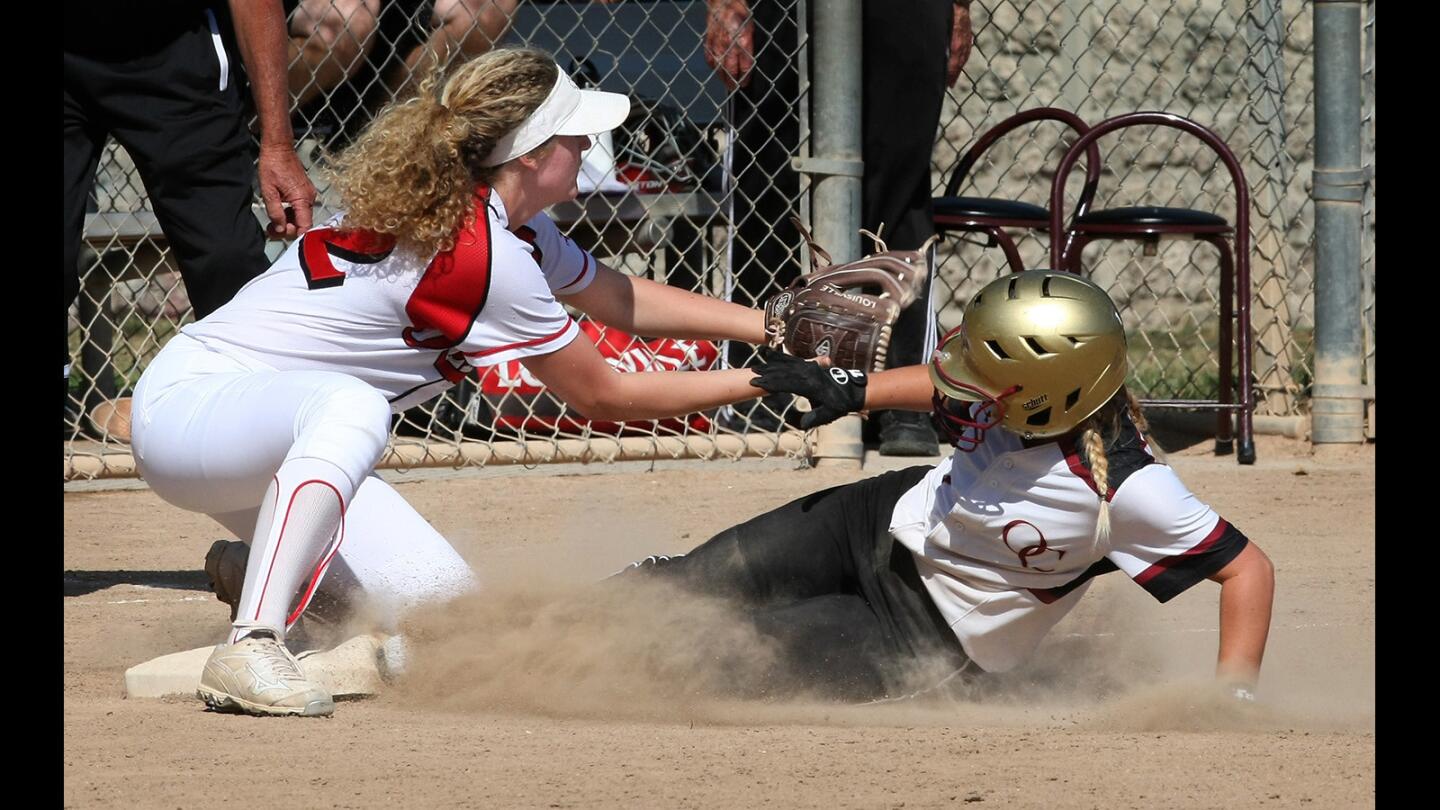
[[153, 81]]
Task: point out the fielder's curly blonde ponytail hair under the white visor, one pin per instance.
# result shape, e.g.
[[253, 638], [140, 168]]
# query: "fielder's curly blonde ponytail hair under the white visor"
[[413, 172]]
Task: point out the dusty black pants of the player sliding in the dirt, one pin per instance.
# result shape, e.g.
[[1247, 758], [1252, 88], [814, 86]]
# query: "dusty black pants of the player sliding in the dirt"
[[823, 577]]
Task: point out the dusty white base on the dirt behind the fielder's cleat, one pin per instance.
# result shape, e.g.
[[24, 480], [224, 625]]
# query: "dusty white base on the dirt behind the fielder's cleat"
[[348, 671]]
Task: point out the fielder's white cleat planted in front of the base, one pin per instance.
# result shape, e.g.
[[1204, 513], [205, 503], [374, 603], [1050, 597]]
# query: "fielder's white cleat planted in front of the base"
[[258, 677]]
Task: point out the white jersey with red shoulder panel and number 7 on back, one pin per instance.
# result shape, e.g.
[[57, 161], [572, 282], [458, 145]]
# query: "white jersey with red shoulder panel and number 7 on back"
[[405, 324]]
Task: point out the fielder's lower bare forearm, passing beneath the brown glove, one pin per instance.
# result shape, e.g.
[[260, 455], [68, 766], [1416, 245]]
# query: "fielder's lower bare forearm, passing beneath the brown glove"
[[581, 377]]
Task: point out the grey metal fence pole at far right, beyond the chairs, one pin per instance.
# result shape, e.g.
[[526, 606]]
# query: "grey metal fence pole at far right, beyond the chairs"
[[1338, 399]]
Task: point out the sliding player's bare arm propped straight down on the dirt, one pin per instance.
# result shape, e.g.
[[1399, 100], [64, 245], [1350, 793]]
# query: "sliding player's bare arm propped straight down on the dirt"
[[1246, 599]]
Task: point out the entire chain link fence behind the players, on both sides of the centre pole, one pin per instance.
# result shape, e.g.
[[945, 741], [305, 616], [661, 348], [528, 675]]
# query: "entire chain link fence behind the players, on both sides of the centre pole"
[[665, 197]]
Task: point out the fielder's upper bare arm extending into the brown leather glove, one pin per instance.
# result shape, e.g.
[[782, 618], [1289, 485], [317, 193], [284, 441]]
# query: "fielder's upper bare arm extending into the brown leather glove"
[[644, 308]]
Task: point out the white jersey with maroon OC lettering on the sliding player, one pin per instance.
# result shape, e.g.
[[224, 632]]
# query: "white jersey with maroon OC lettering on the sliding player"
[[1006, 537]]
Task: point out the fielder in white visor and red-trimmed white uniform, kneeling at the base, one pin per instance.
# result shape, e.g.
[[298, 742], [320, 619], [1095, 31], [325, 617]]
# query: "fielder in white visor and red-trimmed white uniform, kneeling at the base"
[[271, 413]]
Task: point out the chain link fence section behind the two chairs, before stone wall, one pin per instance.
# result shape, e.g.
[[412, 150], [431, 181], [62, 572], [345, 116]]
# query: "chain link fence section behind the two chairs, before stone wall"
[[1241, 68]]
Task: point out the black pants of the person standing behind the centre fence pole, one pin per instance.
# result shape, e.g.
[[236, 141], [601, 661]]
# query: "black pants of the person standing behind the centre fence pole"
[[905, 48]]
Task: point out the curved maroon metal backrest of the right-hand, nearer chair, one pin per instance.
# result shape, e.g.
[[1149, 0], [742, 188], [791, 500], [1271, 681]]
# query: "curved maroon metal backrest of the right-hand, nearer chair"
[[1088, 145]]
